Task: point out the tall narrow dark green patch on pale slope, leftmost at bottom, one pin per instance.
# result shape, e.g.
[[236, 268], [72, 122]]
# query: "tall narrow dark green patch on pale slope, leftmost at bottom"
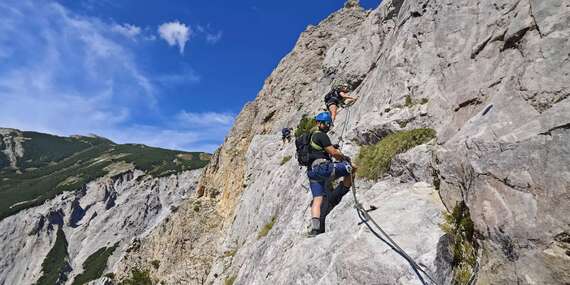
[[55, 265]]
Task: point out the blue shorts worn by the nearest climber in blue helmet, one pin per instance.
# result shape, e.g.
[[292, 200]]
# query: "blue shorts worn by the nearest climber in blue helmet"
[[322, 174]]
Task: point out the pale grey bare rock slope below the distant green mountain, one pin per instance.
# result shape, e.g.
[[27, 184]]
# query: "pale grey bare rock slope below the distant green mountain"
[[110, 212]]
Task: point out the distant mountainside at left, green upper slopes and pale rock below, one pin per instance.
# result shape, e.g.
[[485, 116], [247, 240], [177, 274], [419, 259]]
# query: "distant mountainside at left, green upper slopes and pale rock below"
[[72, 207]]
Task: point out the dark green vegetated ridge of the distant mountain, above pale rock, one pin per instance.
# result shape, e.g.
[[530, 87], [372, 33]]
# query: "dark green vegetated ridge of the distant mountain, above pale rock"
[[68, 164]]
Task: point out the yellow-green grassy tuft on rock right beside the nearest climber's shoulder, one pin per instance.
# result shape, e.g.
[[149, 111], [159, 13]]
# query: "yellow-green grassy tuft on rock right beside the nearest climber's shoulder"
[[375, 160]]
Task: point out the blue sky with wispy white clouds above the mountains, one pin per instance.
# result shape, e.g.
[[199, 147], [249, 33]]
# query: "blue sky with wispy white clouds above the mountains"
[[170, 74]]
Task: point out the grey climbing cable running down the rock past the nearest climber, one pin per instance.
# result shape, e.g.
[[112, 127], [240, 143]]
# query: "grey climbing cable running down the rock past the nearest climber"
[[366, 219]]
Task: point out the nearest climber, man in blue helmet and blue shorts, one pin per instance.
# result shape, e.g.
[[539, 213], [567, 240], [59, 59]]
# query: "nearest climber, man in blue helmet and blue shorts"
[[322, 171]]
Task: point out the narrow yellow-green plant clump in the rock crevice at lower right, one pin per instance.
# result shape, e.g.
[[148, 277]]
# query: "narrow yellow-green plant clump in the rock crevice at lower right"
[[459, 226]]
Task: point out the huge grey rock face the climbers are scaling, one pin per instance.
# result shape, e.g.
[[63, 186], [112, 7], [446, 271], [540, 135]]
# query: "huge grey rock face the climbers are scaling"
[[492, 78]]
